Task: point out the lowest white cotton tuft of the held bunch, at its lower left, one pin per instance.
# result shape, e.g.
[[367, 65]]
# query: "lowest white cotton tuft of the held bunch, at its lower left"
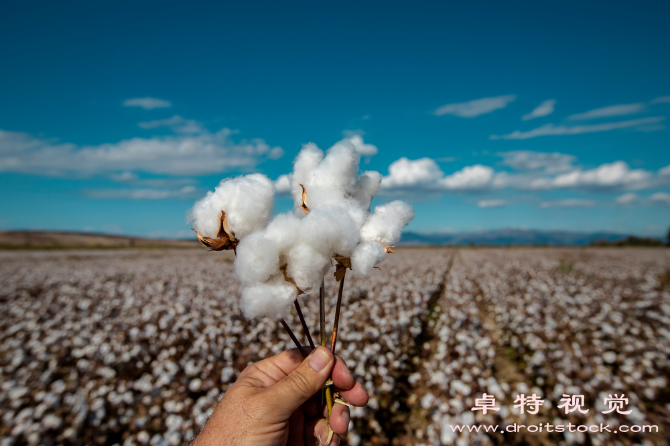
[[272, 299]]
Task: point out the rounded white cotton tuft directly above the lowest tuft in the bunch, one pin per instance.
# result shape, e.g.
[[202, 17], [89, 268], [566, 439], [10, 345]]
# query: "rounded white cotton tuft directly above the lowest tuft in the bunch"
[[257, 258]]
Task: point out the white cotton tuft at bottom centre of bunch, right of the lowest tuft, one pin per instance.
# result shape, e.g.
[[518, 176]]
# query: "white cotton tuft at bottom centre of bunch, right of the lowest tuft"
[[307, 266]]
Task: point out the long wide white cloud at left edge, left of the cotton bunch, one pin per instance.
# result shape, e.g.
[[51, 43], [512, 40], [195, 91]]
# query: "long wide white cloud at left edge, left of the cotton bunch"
[[201, 154]]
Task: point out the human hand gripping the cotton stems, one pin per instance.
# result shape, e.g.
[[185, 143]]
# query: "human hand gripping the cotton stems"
[[274, 402]]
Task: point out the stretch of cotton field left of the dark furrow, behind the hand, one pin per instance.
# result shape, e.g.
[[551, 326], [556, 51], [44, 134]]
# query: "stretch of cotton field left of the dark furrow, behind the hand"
[[177, 341]]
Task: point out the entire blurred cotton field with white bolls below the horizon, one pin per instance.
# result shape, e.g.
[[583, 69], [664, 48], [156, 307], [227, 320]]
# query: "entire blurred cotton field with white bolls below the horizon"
[[135, 347]]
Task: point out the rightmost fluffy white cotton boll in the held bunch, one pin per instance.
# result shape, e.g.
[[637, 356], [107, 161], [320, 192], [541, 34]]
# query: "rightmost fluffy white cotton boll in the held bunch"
[[386, 224]]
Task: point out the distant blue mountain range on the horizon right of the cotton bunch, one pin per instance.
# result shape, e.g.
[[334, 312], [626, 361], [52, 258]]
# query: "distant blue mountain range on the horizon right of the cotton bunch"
[[503, 237]]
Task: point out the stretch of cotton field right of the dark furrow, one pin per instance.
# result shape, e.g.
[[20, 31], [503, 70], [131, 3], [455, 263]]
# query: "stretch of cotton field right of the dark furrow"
[[594, 331]]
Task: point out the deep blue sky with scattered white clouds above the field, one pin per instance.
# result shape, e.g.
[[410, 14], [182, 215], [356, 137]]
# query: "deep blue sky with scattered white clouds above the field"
[[116, 117]]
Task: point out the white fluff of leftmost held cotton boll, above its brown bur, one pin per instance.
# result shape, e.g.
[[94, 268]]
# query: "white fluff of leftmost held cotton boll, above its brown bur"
[[247, 201]]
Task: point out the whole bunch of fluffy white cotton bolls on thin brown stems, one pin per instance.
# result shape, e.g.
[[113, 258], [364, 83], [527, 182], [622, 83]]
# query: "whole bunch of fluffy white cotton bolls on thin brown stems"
[[281, 258]]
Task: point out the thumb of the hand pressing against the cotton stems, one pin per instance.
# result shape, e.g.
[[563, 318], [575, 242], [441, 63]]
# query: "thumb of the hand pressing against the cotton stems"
[[301, 384]]
